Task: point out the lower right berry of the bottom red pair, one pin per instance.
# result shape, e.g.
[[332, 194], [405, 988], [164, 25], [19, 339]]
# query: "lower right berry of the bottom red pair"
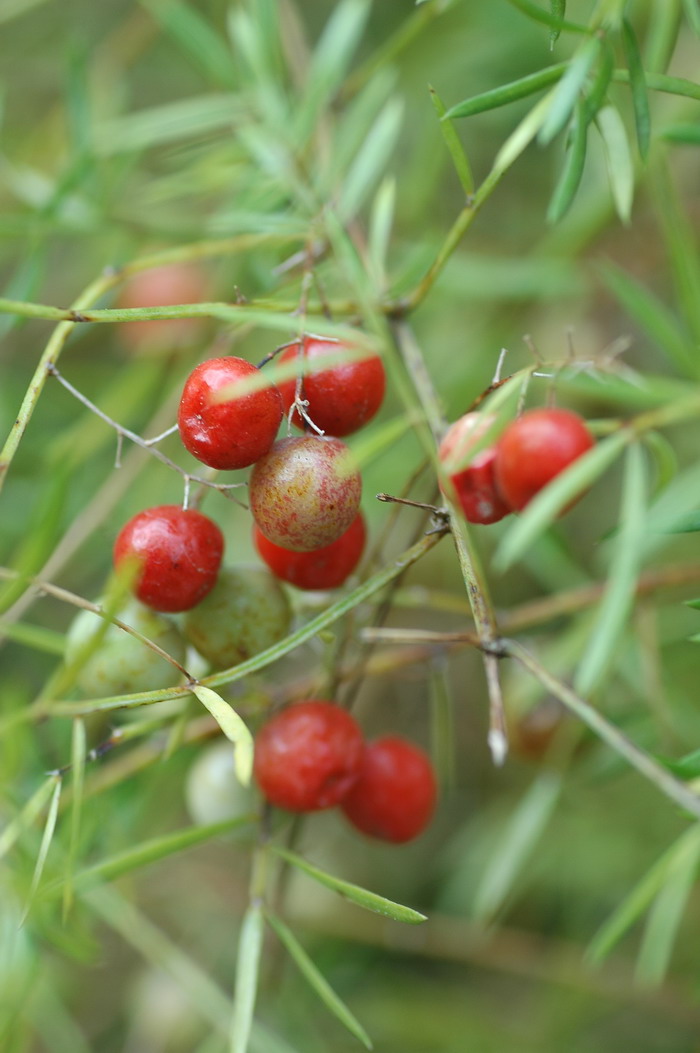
[[395, 796]]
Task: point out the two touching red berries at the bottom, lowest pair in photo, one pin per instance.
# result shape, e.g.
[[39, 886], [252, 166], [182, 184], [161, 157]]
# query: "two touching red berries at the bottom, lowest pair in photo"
[[312, 757]]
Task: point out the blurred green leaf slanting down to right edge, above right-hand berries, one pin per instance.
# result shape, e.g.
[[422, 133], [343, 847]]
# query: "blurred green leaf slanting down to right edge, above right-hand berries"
[[654, 317]]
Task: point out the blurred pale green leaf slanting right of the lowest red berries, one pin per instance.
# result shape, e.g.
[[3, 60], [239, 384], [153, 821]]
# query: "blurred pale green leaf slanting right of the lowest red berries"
[[523, 832]]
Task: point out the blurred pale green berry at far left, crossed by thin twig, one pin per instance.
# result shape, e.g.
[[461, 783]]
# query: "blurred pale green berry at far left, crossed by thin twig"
[[121, 664]]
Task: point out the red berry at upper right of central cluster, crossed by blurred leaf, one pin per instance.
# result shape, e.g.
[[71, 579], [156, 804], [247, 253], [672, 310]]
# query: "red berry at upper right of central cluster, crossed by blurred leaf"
[[342, 399]]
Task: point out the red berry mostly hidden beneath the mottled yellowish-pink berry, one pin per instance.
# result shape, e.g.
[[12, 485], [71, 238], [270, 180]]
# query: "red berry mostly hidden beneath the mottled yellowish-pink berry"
[[326, 568]]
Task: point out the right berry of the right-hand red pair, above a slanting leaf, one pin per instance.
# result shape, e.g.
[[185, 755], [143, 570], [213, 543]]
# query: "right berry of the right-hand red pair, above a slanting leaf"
[[535, 449]]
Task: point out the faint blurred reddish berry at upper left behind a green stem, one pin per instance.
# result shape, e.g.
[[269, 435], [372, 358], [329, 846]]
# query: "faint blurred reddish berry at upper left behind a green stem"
[[164, 287]]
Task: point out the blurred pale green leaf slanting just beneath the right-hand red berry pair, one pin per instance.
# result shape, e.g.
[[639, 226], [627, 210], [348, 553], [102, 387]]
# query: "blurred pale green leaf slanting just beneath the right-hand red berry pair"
[[544, 510]]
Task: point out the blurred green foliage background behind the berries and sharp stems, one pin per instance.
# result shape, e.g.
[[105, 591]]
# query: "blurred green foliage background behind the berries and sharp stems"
[[128, 130]]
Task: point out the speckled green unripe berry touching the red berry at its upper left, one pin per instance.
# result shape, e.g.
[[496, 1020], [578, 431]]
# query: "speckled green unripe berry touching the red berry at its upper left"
[[246, 613]]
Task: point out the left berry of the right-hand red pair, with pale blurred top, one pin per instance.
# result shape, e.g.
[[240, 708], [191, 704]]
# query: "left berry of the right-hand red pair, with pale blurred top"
[[475, 484]]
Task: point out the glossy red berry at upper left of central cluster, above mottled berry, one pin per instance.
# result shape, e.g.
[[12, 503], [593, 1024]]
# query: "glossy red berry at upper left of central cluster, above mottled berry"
[[232, 434]]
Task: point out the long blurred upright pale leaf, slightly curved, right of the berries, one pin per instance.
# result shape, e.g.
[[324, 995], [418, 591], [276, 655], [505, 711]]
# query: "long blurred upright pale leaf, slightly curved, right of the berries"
[[622, 585]]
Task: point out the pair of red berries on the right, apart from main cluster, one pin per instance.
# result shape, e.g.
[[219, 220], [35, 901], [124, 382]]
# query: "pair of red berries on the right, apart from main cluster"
[[507, 476]]
